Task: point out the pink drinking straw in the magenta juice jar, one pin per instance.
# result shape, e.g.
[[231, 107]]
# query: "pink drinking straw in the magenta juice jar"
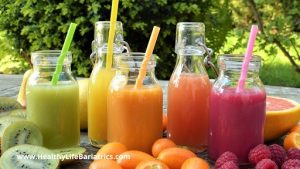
[[247, 58]]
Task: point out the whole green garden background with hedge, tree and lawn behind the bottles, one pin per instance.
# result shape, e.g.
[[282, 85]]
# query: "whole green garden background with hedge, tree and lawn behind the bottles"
[[31, 25]]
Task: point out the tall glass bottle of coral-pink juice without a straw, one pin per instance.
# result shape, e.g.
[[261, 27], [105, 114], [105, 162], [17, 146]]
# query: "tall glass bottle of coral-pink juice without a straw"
[[189, 88]]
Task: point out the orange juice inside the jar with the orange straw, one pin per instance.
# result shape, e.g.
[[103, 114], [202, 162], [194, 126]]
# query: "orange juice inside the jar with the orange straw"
[[135, 116]]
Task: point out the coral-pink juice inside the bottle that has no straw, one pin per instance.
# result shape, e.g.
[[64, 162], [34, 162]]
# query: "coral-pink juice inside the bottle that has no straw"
[[188, 103]]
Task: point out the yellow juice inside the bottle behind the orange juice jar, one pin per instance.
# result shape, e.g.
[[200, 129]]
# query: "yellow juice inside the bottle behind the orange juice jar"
[[97, 105]]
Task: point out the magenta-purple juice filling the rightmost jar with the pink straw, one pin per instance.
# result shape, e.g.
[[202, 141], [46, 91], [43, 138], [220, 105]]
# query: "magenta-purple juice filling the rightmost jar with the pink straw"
[[236, 122]]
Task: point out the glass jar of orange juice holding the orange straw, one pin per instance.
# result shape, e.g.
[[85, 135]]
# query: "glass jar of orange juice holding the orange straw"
[[134, 114]]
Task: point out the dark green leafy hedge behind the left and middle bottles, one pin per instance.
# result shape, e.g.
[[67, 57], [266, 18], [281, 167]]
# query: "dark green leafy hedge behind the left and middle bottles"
[[42, 24]]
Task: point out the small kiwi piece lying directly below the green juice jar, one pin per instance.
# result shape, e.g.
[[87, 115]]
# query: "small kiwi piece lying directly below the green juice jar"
[[69, 154]]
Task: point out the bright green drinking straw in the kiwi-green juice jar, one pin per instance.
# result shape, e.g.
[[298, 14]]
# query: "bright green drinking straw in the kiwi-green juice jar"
[[63, 53]]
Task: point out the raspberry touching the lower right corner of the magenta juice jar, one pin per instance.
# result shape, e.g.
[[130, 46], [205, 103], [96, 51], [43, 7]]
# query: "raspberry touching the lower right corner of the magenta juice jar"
[[258, 153]]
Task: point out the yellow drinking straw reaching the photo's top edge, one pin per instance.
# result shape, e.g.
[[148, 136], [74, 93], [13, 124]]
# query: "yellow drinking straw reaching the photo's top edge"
[[112, 30]]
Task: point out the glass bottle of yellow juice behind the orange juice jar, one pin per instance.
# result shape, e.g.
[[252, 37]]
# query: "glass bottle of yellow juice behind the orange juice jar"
[[99, 81]]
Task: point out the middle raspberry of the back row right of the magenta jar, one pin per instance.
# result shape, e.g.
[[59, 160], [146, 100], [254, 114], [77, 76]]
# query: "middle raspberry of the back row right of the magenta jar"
[[278, 154]]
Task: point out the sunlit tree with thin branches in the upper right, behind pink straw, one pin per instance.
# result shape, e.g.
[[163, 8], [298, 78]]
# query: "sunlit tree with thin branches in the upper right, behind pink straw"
[[279, 24]]
